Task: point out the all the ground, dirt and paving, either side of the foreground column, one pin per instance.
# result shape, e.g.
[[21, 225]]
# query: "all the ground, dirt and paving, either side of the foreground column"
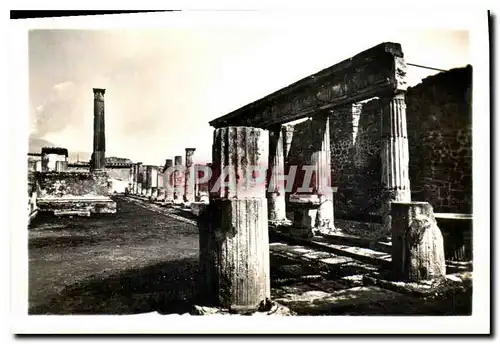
[[144, 259]]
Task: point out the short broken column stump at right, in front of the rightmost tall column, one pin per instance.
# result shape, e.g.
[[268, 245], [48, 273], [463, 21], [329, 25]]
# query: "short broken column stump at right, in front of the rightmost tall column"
[[417, 243]]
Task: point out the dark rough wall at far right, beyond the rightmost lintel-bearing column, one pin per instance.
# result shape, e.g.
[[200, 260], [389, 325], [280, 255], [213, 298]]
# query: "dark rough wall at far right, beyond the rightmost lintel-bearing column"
[[440, 138]]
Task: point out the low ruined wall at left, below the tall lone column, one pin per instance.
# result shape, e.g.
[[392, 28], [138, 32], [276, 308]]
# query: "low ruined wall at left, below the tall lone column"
[[68, 184]]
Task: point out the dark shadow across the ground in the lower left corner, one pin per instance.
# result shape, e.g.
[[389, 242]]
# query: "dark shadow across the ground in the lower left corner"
[[166, 288]]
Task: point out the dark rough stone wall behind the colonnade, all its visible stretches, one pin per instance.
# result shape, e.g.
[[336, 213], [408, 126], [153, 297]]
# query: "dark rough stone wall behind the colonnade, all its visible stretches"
[[439, 133]]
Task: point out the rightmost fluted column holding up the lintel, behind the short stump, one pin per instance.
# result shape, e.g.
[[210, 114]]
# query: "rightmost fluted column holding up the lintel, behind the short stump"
[[394, 156]]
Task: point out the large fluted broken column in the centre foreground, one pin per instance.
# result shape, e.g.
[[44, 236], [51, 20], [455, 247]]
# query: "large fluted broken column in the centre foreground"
[[234, 244]]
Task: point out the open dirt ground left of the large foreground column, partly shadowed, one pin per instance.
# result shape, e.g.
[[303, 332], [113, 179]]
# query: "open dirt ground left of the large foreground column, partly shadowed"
[[128, 262]]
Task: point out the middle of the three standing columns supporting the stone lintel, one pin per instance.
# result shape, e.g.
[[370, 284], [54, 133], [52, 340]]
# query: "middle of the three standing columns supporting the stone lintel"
[[320, 159]]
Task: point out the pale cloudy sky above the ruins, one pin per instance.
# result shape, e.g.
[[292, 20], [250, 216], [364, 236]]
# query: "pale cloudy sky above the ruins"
[[163, 86]]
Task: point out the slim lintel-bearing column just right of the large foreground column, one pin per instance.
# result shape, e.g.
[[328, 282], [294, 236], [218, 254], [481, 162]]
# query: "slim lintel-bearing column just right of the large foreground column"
[[276, 201]]
